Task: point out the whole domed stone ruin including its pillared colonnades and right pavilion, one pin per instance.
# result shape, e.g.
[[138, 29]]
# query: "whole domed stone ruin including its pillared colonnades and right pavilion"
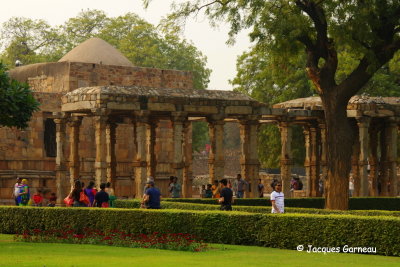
[[104, 119]]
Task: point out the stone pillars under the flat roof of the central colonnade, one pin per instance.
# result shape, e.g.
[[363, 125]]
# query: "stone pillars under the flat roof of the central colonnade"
[[144, 138]]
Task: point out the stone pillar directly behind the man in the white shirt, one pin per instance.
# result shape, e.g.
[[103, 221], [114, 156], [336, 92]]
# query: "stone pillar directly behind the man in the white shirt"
[[286, 157]]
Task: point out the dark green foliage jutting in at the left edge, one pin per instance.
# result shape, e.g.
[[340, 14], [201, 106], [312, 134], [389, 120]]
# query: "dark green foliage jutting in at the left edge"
[[16, 101]]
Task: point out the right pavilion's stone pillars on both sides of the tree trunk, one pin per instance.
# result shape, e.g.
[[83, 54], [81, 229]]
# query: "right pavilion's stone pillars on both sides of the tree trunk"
[[365, 151]]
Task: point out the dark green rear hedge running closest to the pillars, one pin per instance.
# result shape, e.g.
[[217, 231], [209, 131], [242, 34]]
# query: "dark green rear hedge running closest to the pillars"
[[356, 203]]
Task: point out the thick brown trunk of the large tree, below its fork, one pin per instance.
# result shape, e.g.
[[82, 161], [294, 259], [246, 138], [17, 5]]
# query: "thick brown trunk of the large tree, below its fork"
[[339, 139]]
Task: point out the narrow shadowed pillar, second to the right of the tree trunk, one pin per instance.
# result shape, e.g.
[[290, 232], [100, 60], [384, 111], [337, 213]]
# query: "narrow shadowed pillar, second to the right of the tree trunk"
[[373, 161]]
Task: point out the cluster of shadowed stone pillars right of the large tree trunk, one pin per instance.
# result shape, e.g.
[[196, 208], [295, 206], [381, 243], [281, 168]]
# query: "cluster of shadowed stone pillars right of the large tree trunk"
[[382, 172]]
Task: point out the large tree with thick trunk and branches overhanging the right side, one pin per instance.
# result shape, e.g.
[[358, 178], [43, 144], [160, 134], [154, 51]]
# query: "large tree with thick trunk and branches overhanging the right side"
[[319, 30]]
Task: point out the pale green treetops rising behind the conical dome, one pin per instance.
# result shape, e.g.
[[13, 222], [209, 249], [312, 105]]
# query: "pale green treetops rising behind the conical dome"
[[145, 45]]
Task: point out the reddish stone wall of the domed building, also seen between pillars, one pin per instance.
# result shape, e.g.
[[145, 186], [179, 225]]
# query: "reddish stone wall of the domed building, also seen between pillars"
[[22, 152]]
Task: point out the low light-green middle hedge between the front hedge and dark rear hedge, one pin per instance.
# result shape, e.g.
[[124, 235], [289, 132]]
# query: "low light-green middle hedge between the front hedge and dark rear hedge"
[[134, 204]]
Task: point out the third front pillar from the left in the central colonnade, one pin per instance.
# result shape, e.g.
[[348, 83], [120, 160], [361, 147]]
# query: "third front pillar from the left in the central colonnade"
[[100, 164]]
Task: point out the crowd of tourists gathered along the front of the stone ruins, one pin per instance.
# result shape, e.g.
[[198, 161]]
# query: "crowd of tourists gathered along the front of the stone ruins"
[[80, 196]]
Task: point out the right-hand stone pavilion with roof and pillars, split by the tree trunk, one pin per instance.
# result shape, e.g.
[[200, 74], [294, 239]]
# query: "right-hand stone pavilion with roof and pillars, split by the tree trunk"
[[374, 160]]
